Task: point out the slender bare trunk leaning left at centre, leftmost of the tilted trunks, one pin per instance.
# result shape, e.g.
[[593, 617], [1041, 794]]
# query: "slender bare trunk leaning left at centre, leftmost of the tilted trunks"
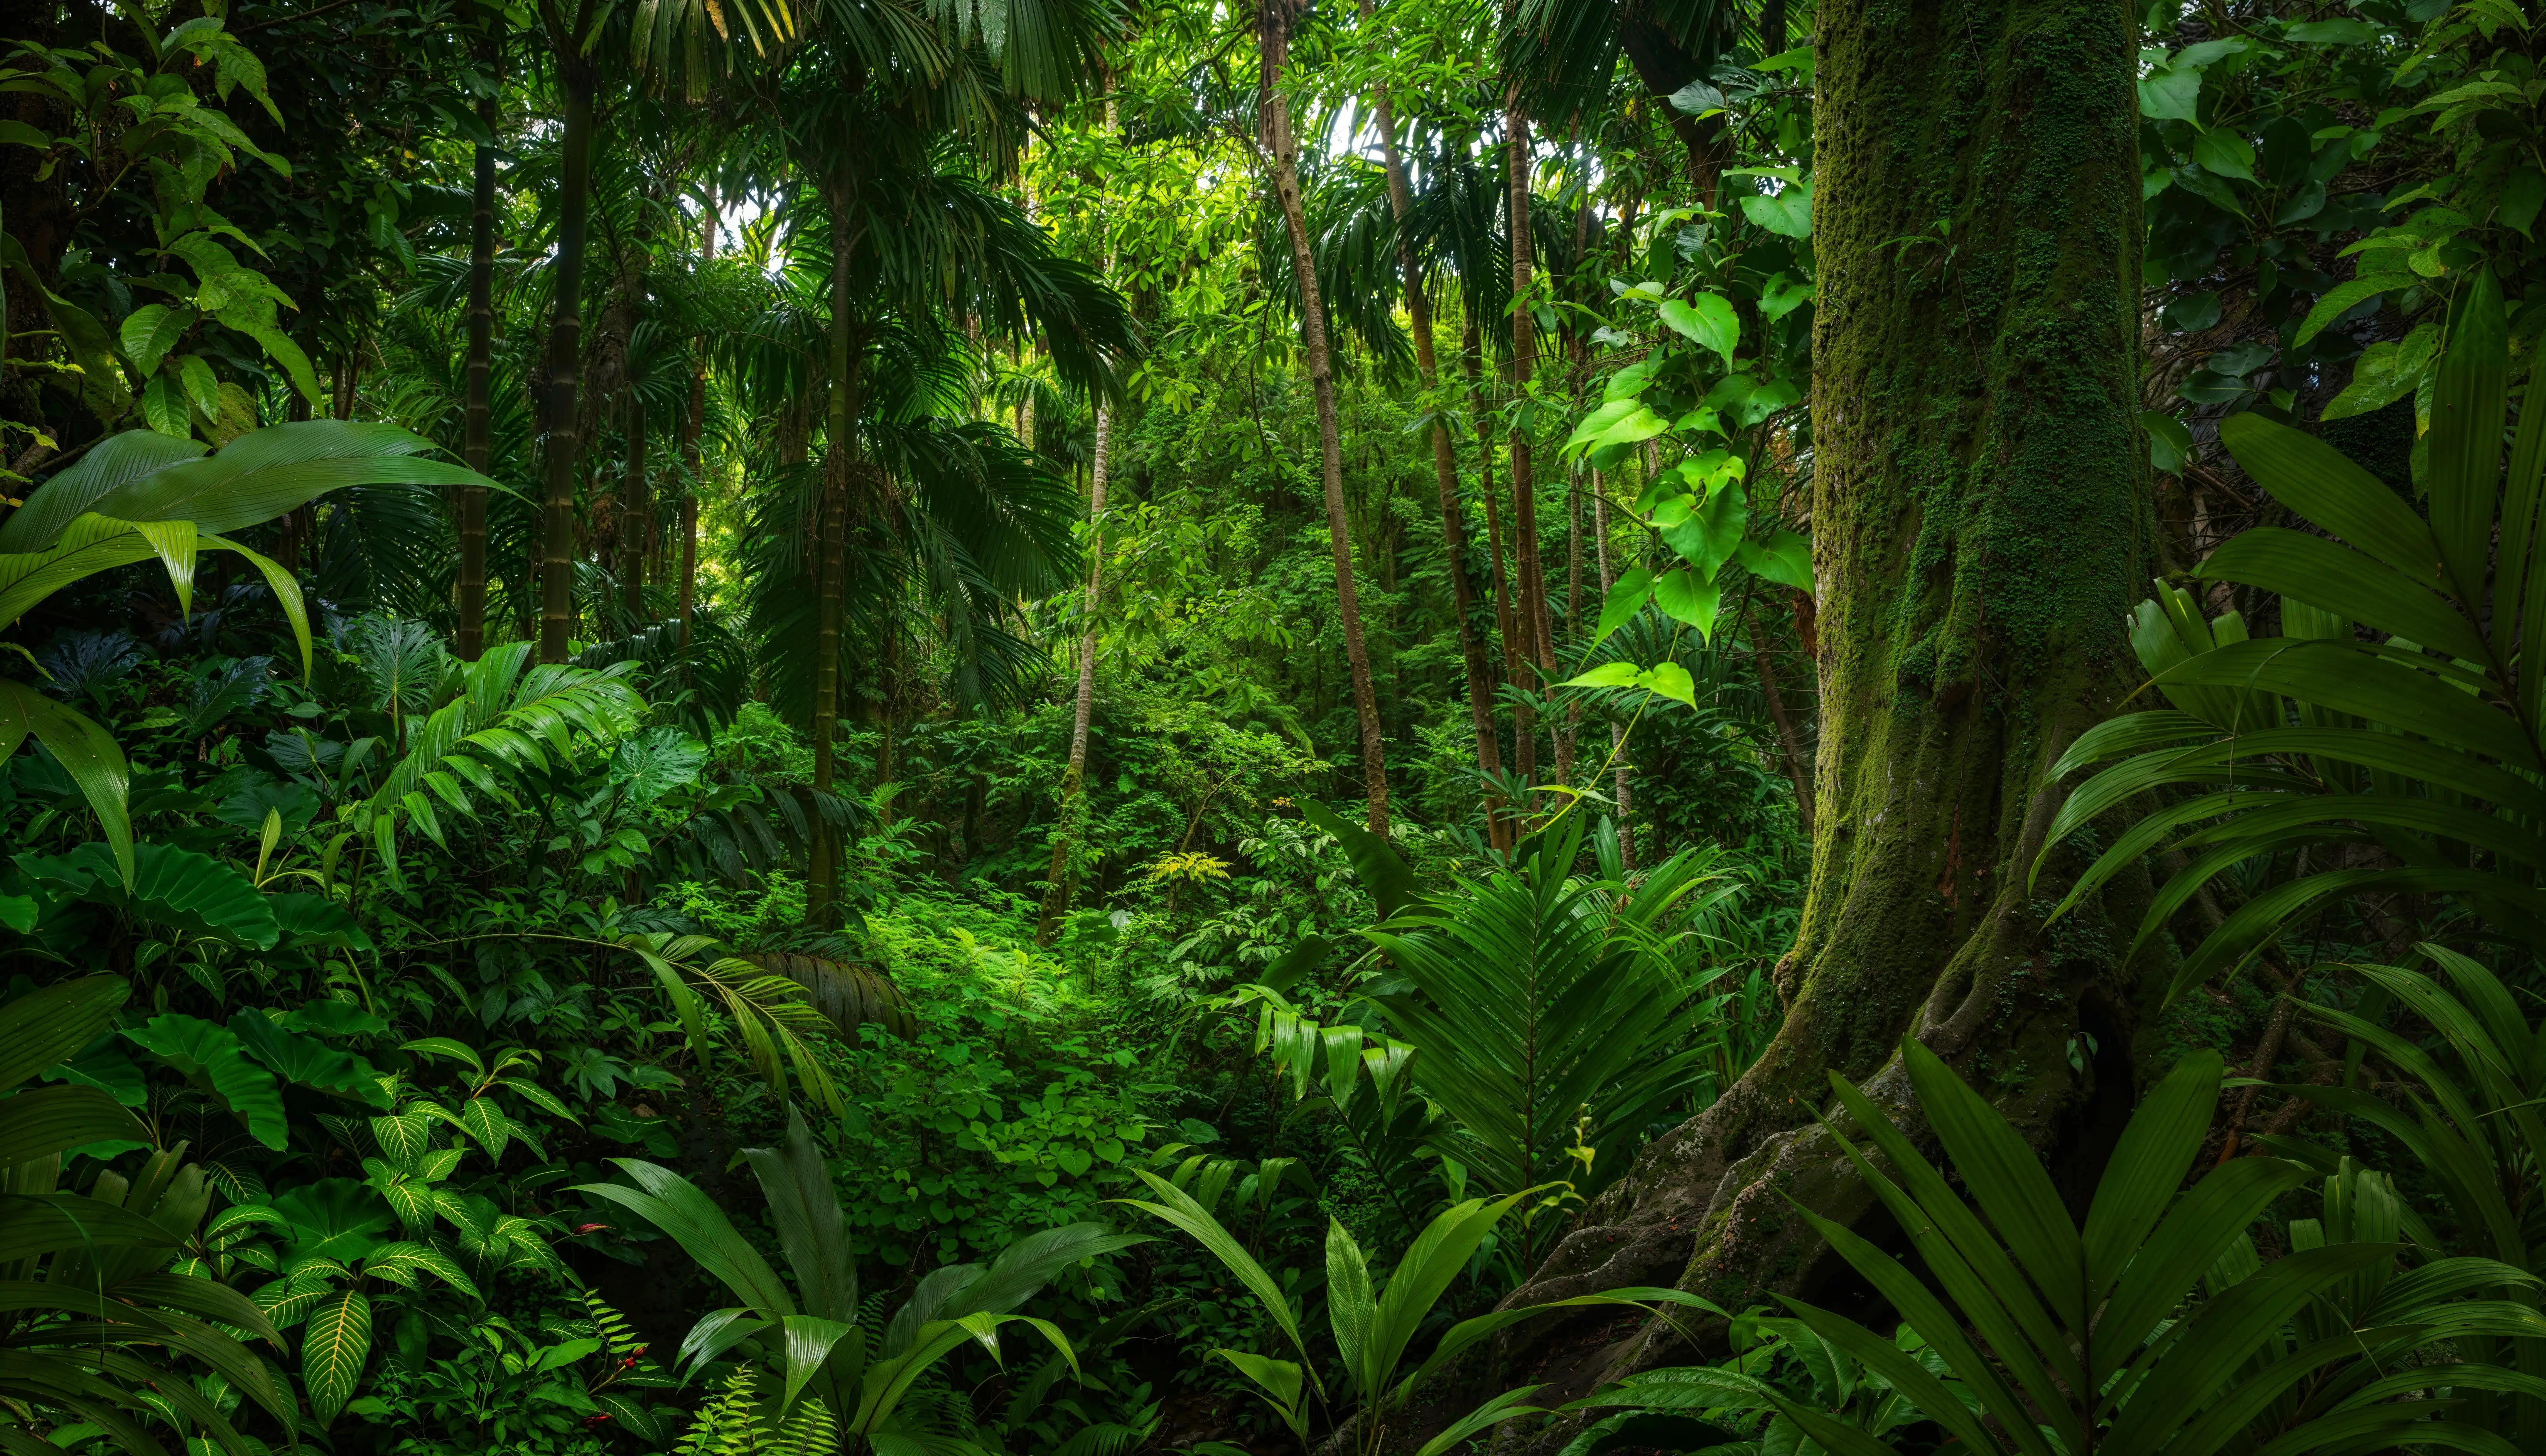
[[1274, 113]]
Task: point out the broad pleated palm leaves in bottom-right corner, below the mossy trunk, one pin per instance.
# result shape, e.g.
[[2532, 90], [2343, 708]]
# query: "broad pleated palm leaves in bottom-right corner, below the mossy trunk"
[[2071, 1338]]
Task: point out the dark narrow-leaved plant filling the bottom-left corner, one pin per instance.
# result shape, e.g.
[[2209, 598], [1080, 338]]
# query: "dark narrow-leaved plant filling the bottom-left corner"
[[93, 1294]]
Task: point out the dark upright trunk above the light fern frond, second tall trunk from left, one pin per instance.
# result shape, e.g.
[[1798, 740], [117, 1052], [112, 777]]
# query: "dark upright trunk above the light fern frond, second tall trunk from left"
[[566, 363]]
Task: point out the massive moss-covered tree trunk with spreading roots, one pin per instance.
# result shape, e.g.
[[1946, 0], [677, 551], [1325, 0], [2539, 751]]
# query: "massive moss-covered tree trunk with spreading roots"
[[1980, 531]]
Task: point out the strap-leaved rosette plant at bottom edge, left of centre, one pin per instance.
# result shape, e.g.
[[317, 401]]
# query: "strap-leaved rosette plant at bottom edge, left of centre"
[[819, 1338]]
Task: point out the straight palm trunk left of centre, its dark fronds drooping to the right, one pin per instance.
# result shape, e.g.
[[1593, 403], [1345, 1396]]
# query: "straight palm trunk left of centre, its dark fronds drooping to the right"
[[831, 610]]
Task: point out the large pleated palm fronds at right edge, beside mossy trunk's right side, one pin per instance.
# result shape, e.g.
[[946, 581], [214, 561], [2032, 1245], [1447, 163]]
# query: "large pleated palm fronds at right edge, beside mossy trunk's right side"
[[2397, 717]]
